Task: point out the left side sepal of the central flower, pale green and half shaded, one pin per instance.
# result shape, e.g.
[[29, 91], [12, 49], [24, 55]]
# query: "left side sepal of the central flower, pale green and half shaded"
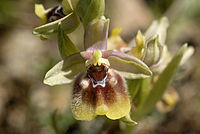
[[65, 71]]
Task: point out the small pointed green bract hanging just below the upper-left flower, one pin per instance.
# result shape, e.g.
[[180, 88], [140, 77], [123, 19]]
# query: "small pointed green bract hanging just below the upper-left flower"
[[65, 45]]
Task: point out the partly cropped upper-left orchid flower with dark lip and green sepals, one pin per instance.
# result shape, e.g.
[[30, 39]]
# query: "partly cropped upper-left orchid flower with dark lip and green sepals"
[[52, 17]]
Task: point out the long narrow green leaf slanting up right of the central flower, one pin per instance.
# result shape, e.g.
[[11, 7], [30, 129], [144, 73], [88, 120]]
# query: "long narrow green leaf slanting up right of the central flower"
[[160, 86]]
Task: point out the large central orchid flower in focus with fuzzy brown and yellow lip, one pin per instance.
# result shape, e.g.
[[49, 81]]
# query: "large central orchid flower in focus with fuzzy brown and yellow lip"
[[98, 75]]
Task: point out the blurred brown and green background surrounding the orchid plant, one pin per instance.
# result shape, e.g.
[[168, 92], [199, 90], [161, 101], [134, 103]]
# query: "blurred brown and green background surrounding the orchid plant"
[[27, 106]]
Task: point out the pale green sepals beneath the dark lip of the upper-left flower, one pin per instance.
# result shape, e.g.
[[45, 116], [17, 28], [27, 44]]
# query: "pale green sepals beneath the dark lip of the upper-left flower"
[[69, 23]]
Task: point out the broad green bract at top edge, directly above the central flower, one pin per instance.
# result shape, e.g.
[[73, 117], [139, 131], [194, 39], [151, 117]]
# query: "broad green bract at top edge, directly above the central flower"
[[90, 9]]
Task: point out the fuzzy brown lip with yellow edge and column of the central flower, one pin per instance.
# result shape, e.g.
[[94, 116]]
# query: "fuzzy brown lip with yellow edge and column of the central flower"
[[99, 91]]
